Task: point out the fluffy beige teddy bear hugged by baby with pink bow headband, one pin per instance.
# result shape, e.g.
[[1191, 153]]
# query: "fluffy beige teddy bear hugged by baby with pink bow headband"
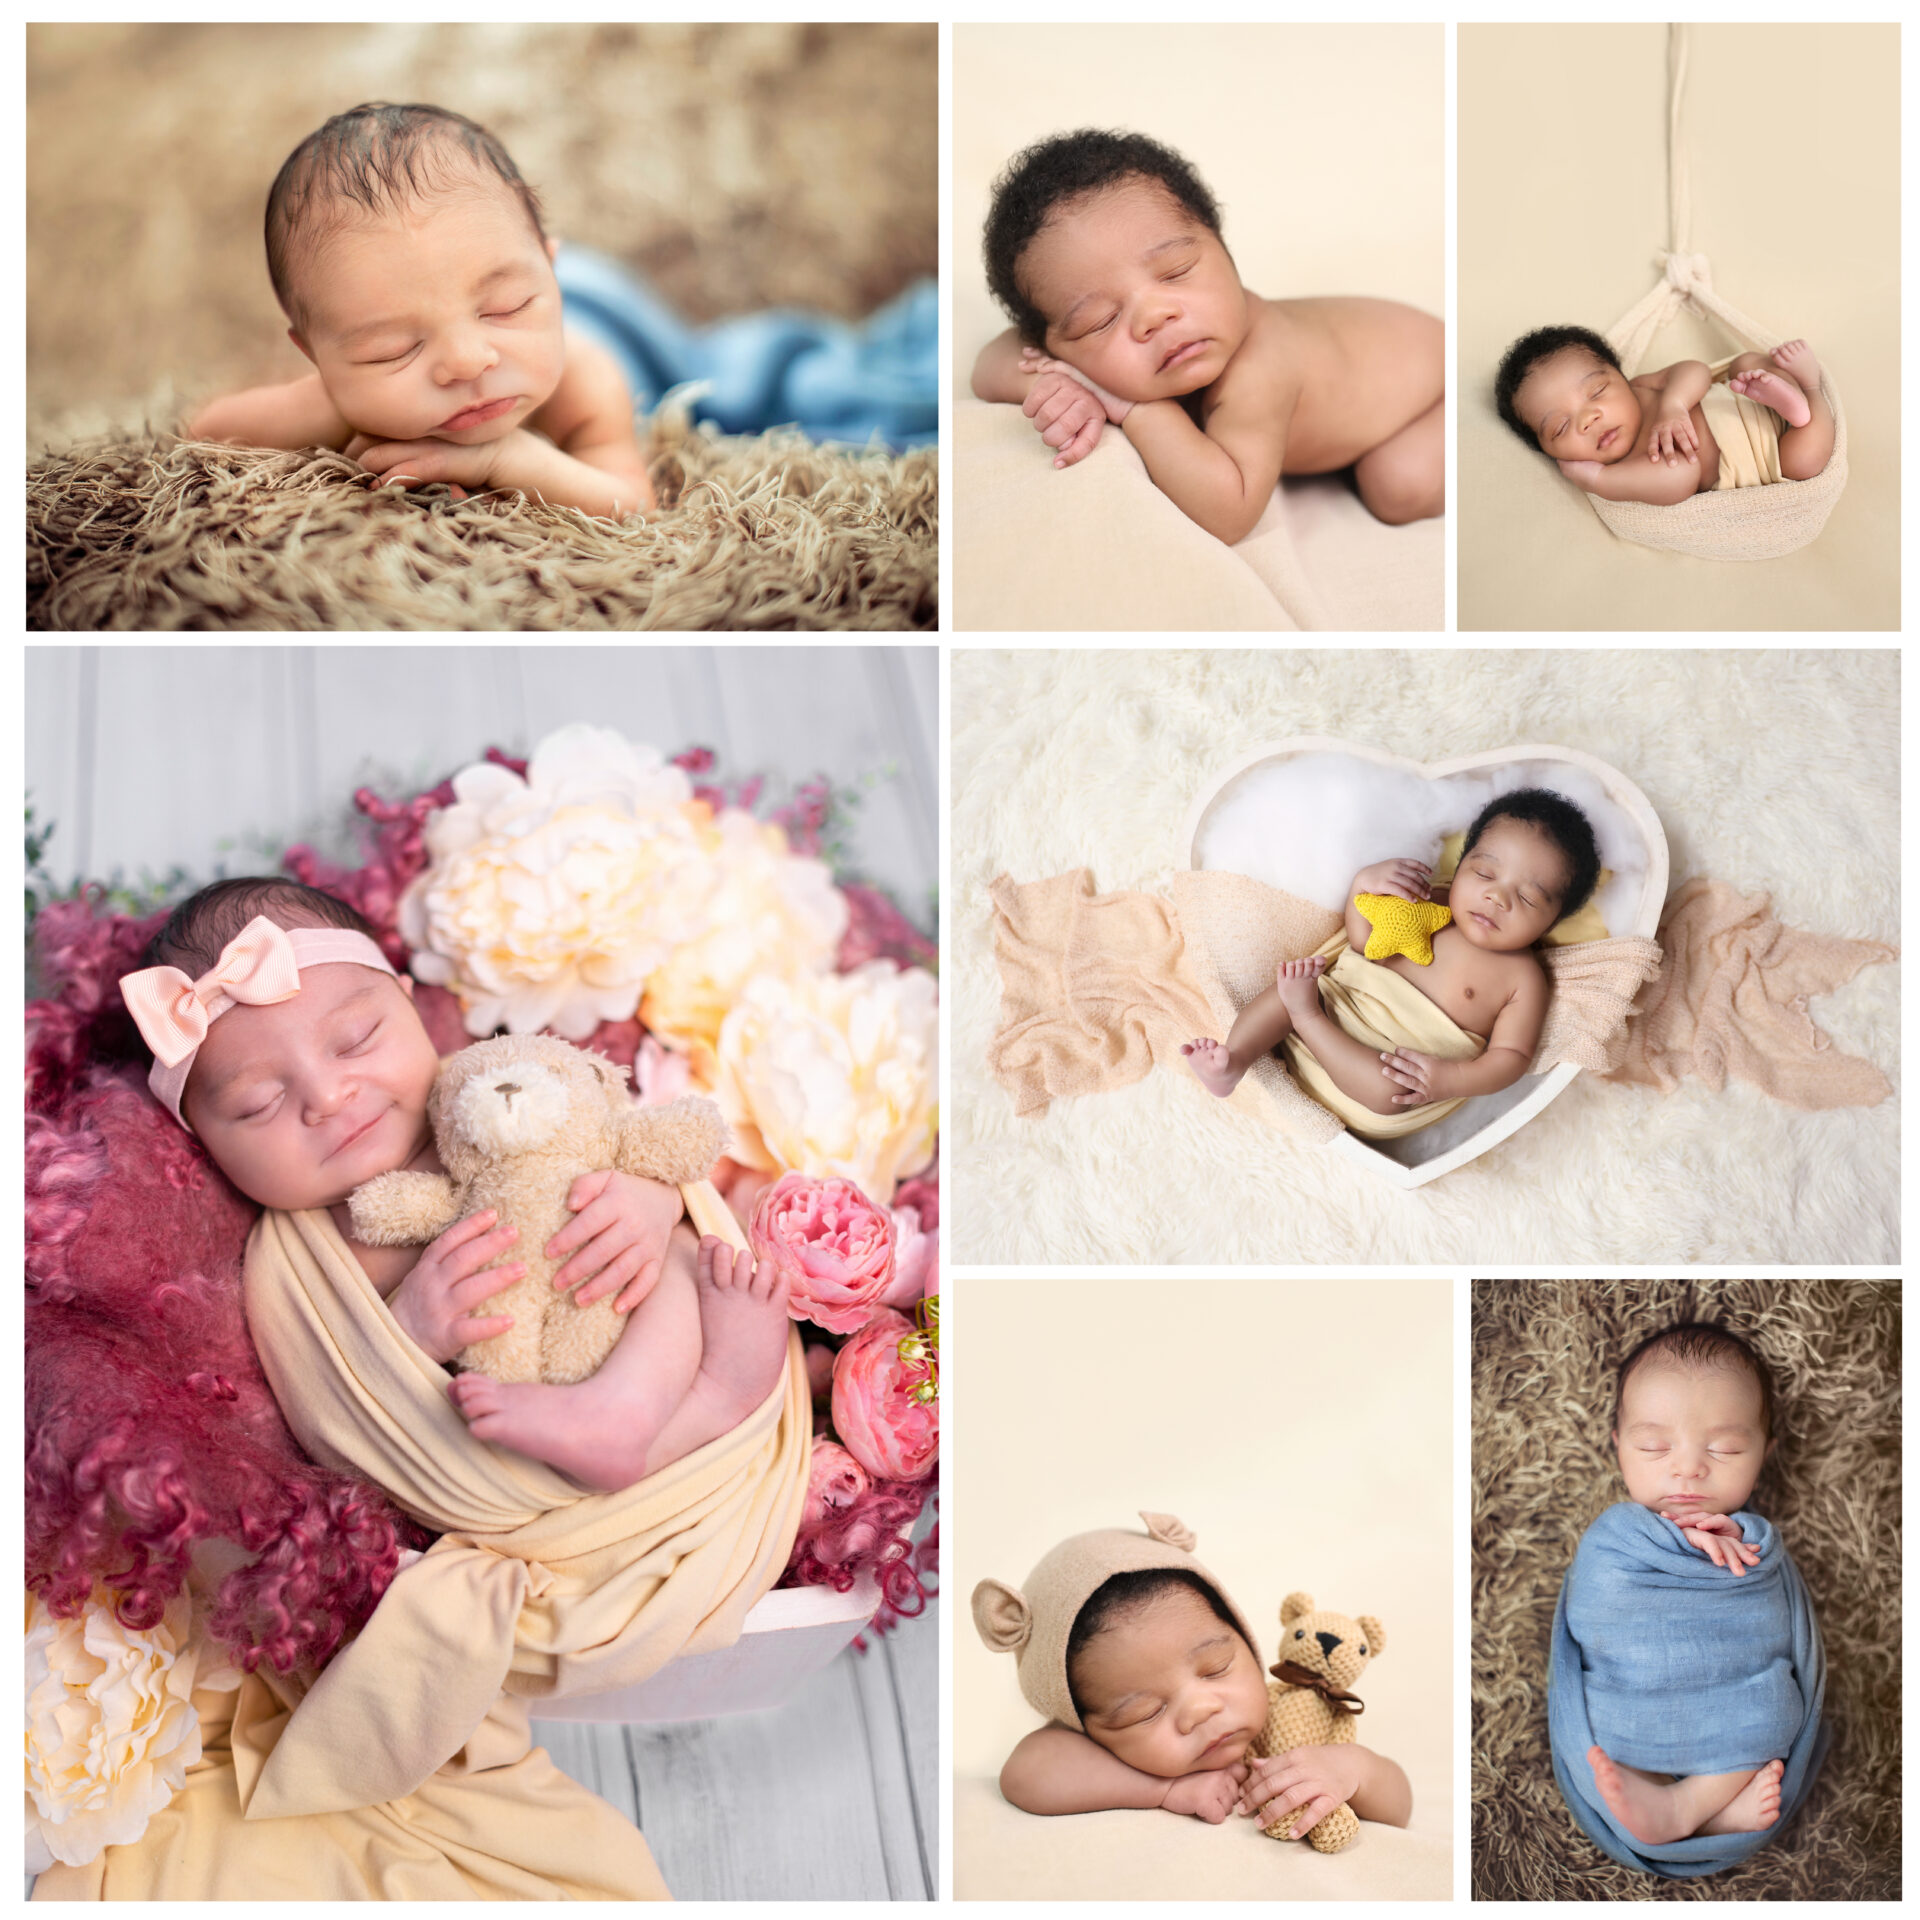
[[517, 1122]]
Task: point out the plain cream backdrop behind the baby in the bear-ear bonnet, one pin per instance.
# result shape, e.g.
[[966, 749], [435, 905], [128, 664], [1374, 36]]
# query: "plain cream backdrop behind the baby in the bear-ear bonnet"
[[1303, 1429]]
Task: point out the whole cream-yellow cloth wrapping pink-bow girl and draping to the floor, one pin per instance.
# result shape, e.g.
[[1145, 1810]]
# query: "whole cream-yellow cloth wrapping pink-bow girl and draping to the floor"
[[406, 1769]]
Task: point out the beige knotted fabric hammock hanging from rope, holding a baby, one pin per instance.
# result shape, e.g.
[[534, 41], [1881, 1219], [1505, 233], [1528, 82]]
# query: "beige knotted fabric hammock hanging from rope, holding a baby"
[[1758, 523]]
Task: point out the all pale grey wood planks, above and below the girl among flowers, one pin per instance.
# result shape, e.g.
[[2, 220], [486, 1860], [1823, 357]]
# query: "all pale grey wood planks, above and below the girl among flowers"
[[149, 757]]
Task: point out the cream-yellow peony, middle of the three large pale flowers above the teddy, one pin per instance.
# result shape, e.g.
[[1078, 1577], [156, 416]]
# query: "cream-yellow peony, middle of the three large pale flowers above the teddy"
[[769, 911]]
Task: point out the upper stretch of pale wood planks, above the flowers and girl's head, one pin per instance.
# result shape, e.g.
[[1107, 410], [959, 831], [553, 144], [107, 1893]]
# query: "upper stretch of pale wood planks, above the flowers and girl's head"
[[149, 757]]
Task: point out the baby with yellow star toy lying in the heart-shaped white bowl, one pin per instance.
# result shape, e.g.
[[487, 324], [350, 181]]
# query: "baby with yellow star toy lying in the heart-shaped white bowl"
[[1393, 1042]]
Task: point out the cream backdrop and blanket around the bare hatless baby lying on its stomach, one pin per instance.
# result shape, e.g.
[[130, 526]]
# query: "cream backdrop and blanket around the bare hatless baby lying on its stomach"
[[1326, 151]]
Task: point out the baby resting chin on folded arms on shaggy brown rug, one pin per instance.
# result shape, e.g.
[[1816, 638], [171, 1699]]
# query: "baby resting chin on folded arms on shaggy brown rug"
[[410, 260]]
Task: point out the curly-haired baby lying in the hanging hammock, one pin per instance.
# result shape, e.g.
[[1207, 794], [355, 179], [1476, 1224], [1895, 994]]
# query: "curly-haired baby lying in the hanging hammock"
[[1669, 435]]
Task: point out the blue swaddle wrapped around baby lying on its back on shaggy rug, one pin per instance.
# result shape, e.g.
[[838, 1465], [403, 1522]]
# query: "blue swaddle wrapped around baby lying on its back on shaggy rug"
[[1681, 1668]]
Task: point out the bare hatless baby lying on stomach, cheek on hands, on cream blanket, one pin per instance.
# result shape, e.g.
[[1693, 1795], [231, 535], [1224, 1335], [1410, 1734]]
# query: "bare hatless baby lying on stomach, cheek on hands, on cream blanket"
[[1128, 310]]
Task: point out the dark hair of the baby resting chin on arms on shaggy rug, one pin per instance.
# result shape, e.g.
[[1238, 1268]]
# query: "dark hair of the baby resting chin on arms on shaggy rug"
[[375, 156]]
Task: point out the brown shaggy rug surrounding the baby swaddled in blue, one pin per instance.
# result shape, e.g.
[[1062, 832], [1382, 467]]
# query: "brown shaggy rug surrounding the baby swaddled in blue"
[[1545, 1356]]
